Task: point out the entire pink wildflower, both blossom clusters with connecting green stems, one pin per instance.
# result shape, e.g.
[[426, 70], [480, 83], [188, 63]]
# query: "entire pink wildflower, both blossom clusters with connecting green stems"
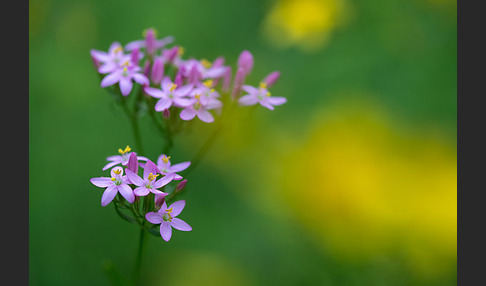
[[152, 75]]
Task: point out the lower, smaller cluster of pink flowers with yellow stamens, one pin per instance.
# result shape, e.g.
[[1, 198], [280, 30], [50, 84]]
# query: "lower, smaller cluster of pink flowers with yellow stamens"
[[131, 187]]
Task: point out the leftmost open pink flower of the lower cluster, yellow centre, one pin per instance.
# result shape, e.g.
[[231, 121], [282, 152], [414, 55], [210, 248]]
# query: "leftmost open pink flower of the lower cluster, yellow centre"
[[117, 183]]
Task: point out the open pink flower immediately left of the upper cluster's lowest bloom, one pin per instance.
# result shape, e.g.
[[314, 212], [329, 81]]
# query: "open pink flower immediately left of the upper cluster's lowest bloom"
[[170, 94]]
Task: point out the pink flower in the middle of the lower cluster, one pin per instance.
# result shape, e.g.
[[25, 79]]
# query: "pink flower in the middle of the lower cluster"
[[149, 183]]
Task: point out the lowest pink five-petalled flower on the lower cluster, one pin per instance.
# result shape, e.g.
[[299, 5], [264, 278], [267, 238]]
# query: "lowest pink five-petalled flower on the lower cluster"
[[166, 217]]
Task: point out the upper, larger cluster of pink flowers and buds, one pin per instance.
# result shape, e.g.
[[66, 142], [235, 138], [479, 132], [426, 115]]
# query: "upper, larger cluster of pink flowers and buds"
[[191, 85]]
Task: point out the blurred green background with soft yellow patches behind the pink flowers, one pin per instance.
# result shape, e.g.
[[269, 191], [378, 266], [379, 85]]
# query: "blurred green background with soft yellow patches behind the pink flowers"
[[351, 182]]
